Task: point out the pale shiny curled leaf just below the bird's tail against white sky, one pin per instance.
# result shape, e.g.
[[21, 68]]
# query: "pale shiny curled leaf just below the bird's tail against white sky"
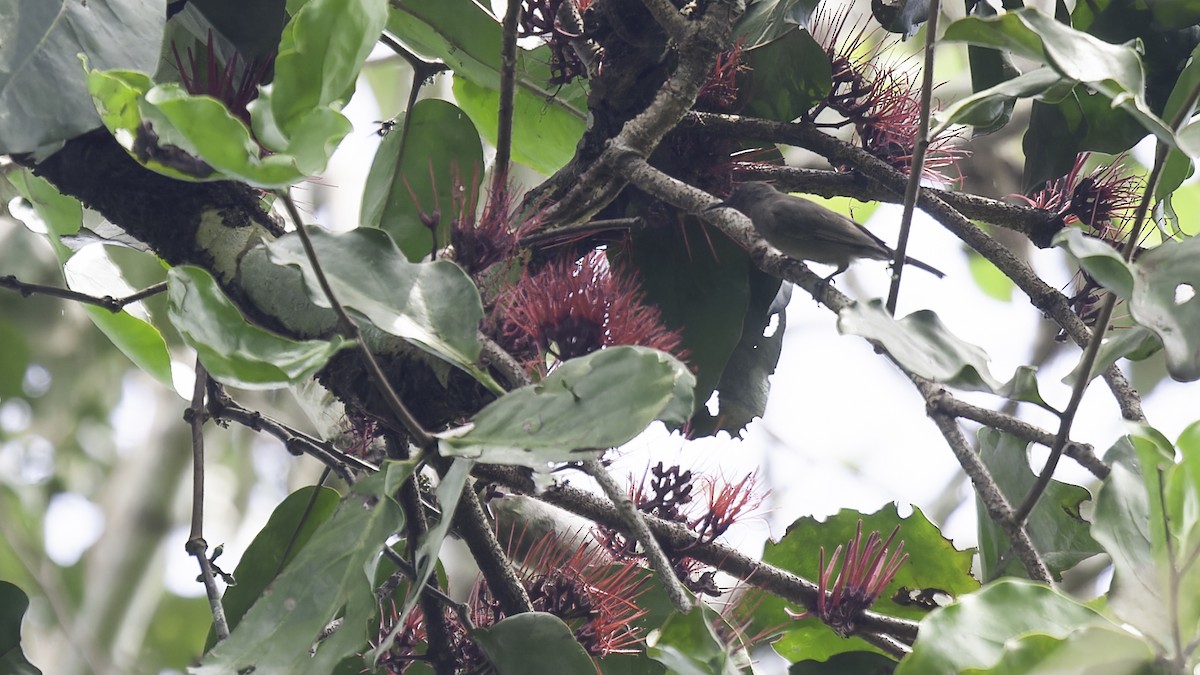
[[926, 347]]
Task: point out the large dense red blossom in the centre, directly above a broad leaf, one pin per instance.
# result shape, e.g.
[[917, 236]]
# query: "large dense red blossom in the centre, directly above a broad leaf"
[[574, 308]]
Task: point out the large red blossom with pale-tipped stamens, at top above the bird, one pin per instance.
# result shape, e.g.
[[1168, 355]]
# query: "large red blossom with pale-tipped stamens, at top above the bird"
[[878, 94]]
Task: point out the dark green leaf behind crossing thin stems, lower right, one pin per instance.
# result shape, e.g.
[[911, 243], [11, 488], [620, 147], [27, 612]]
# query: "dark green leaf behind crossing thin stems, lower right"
[[1057, 527]]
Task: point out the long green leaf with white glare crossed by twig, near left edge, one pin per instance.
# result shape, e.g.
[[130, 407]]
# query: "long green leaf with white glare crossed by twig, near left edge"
[[133, 336]]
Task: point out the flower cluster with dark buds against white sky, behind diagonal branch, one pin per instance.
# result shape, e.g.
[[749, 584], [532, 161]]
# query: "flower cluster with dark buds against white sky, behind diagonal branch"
[[669, 493]]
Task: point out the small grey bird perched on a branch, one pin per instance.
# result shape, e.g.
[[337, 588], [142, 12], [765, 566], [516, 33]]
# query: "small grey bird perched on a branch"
[[807, 231]]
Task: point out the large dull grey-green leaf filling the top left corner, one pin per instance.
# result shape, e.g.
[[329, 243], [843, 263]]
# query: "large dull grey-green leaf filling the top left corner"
[[44, 97]]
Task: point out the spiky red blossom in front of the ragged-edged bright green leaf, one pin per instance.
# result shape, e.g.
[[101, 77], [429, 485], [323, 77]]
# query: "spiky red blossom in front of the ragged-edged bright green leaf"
[[845, 593]]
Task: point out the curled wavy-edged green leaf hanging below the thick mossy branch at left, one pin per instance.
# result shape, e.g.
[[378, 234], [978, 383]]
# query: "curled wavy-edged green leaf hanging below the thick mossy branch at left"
[[235, 351]]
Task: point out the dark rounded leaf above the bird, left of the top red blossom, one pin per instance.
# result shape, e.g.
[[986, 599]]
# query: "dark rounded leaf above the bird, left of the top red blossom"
[[789, 77]]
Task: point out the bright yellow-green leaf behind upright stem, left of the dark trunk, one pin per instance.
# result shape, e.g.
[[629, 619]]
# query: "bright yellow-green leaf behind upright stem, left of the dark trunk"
[[544, 136]]
